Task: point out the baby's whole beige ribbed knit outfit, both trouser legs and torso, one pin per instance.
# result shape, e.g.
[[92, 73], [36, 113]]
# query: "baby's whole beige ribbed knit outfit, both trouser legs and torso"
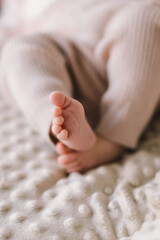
[[104, 53]]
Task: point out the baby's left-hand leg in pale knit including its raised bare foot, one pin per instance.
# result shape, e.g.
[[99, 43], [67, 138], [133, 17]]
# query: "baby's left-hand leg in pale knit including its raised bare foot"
[[33, 67]]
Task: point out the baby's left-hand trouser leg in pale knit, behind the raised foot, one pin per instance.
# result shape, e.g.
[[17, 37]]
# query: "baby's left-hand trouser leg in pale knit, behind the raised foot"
[[31, 68]]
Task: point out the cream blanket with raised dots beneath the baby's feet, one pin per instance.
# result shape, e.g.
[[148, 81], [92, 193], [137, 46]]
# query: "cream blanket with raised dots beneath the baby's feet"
[[38, 201]]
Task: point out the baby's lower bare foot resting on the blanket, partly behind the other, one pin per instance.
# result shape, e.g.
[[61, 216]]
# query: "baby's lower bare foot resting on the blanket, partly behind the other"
[[76, 161]]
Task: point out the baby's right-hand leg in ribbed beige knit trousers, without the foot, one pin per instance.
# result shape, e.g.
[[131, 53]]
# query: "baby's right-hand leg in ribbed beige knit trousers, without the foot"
[[131, 50]]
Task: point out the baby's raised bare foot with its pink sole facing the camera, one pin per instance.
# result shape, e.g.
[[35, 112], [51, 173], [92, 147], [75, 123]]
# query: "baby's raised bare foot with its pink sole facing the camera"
[[69, 123]]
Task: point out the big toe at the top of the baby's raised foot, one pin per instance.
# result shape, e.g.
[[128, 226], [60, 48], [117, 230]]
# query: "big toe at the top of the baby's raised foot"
[[59, 99]]
